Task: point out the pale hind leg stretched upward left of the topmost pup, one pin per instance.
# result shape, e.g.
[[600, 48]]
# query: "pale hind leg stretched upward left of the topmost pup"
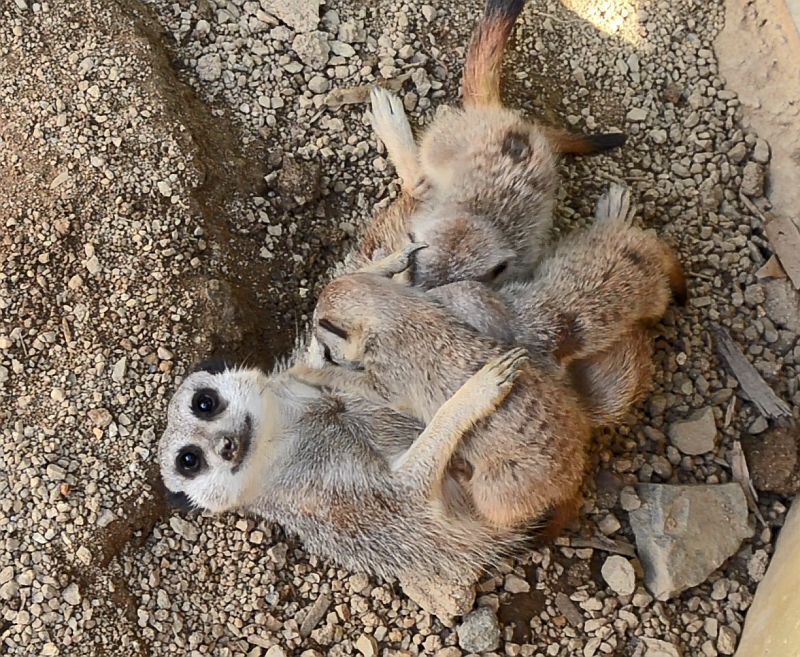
[[390, 123]]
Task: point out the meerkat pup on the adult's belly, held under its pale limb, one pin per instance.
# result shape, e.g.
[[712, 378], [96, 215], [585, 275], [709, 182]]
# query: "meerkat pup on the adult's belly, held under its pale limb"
[[398, 346]]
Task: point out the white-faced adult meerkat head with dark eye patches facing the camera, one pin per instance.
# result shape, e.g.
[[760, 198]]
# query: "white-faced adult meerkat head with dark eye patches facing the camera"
[[210, 453]]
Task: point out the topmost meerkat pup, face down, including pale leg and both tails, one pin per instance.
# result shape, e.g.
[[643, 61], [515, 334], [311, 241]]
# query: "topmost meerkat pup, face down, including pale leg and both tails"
[[484, 176]]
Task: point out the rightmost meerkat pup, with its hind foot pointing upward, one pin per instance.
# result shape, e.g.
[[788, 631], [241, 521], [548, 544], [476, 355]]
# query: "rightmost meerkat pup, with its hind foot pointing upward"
[[612, 276]]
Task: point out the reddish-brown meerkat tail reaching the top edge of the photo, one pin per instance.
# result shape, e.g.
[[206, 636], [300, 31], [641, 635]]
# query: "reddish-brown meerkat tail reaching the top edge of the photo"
[[481, 82]]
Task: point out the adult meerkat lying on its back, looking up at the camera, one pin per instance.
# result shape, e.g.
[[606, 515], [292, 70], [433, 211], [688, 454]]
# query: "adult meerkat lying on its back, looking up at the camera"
[[358, 483]]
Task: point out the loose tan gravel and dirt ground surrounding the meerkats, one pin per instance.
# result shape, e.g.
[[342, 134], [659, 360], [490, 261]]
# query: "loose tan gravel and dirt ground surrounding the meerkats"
[[178, 178]]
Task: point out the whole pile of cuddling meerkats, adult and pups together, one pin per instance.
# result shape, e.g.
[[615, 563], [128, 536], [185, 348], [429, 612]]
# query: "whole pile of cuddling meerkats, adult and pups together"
[[458, 365]]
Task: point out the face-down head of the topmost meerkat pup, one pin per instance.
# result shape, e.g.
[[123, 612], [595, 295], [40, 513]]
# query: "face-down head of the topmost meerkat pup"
[[460, 248]]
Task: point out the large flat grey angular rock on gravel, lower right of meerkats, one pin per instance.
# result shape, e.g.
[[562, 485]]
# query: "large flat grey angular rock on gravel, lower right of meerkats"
[[684, 533]]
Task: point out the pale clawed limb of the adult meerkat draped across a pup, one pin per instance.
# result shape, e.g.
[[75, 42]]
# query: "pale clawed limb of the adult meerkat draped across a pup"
[[426, 461]]
